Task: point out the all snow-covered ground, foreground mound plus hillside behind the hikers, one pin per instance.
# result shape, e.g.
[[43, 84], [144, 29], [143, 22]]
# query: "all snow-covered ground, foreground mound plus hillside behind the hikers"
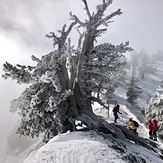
[[88, 147]]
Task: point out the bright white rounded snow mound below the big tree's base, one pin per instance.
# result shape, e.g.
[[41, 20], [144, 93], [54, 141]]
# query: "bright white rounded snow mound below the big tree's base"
[[74, 147]]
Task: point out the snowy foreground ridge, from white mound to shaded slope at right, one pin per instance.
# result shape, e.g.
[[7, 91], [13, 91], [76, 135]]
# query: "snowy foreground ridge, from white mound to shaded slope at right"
[[88, 147]]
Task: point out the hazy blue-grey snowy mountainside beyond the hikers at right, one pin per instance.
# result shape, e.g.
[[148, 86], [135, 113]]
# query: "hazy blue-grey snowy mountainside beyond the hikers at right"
[[148, 85]]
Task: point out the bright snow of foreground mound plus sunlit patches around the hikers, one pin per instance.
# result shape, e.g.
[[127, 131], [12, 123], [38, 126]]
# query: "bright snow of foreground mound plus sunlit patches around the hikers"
[[88, 147]]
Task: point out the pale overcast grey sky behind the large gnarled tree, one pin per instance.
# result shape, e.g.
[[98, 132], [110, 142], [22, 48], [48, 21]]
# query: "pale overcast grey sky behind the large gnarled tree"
[[24, 23]]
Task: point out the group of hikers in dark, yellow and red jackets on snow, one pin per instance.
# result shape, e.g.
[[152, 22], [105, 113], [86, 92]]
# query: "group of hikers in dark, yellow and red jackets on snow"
[[133, 125]]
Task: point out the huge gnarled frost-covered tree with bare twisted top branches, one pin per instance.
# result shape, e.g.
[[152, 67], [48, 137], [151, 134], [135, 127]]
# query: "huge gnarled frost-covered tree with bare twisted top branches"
[[65, 82]]
